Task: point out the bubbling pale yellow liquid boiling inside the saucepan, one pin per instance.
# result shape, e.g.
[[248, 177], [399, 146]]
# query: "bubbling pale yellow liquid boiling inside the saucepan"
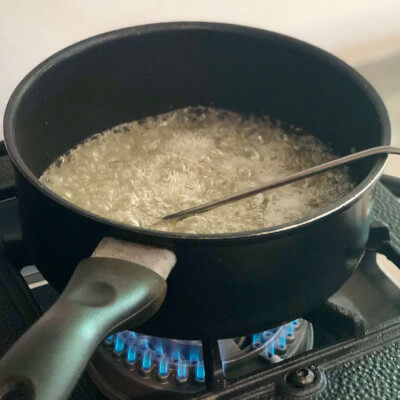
[[138, 172]]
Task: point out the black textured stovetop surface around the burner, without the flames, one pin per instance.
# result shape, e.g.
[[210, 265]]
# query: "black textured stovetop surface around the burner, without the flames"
[[356, 351]]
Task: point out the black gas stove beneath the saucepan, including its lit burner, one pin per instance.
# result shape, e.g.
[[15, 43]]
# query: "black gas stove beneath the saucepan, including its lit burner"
[[348, 348]]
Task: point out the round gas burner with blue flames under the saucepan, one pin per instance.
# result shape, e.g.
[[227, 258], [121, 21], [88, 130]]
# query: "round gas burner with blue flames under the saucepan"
[[177, 366]]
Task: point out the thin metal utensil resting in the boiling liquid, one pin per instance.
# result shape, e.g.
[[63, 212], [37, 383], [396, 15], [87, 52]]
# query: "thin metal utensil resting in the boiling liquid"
[[285, 180]]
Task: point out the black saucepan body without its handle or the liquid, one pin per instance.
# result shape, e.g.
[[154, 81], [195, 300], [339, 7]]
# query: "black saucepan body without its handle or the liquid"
[[223, 285]]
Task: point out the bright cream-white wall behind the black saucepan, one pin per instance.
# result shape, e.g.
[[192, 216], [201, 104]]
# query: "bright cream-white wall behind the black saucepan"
[[31, 30]]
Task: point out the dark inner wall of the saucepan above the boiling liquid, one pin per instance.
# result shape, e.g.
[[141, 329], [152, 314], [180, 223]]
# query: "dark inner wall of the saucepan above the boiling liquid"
[[121, 76]]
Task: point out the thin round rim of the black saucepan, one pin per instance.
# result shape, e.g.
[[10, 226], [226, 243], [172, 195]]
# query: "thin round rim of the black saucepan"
[[11, 114]]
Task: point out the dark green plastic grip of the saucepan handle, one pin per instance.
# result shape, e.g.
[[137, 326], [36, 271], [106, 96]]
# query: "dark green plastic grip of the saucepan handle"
[[46, 362]]
